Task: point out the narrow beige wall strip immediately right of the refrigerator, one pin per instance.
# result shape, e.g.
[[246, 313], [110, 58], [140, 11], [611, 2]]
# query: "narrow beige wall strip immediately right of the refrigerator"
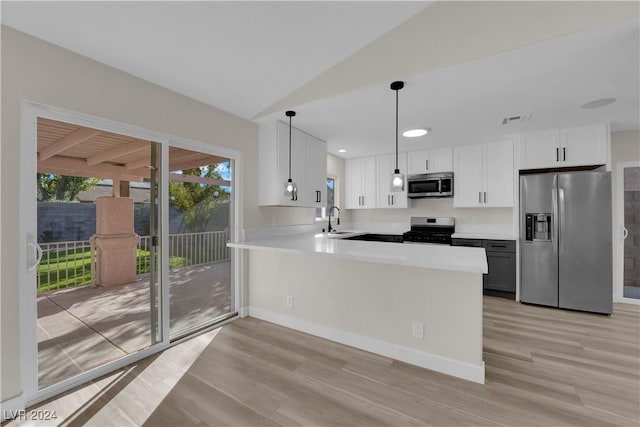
[[625, 147]]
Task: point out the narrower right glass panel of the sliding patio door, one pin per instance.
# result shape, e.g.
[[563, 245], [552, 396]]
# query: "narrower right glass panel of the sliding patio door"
[[200, 194]]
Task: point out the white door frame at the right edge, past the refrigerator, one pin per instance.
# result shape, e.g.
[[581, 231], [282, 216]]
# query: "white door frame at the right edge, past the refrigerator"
[[618, 234]]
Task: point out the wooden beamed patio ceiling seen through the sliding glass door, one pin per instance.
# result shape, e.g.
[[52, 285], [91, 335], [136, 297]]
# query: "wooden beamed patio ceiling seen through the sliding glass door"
[[72, 150]]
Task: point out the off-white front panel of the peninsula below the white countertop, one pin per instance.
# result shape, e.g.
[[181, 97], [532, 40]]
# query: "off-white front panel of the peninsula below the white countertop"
[[373, 306]]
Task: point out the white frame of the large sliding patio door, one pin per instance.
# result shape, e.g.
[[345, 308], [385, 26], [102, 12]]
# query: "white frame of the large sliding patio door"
[[27, 226]]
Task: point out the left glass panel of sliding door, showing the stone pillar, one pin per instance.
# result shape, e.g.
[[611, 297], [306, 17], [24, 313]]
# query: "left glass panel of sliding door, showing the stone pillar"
[[98, 230]]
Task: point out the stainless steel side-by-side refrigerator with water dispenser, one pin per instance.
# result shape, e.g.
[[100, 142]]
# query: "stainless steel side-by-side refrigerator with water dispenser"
[[565, 240]]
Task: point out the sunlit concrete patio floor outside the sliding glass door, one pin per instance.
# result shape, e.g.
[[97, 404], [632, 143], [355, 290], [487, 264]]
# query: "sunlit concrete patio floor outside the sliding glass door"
[[84, 327]]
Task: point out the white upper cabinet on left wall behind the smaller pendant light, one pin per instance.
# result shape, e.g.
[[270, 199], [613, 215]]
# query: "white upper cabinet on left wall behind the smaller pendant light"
[[308, 167]]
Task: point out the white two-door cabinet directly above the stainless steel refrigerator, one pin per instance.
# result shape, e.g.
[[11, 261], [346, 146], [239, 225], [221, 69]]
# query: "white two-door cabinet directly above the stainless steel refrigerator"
[[578, 146]]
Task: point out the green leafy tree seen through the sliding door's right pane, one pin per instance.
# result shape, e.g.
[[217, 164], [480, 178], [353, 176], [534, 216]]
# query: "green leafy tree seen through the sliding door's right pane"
[[196, 201]]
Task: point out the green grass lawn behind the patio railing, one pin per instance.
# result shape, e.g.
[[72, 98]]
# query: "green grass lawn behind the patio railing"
[[71, 268]]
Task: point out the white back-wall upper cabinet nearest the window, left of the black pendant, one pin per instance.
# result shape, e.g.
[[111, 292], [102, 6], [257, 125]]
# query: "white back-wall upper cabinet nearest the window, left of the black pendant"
[[360, 185]]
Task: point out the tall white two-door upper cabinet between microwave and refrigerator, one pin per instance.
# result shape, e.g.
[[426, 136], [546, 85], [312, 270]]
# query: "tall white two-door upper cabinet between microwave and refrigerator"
[[484, 175]]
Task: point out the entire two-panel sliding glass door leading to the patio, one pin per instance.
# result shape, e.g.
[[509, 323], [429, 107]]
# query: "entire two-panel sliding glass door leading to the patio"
[[124, 245]]
